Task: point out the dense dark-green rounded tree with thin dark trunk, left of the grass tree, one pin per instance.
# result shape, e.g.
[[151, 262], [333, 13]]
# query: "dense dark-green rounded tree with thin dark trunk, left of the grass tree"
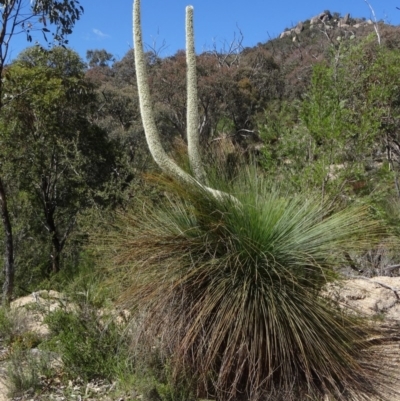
[[61, 159]]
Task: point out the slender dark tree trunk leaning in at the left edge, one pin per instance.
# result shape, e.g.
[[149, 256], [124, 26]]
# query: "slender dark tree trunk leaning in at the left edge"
[[8, 285]]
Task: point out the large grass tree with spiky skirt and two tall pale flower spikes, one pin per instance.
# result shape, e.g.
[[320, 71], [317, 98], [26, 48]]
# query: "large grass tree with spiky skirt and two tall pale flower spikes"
[[233, 296]]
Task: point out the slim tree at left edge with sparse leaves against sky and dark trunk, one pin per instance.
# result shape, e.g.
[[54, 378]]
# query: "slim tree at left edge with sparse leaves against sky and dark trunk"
[[54, 17]]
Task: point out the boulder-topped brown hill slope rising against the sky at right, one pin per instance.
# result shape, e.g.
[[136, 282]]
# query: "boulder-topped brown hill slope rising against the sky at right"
[[311, 41]]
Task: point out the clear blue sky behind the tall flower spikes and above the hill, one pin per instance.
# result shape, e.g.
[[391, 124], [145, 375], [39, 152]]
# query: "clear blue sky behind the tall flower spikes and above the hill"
[[110, 27]]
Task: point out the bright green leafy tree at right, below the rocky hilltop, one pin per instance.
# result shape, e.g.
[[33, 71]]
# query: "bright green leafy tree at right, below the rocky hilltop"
[[349, 101]]
